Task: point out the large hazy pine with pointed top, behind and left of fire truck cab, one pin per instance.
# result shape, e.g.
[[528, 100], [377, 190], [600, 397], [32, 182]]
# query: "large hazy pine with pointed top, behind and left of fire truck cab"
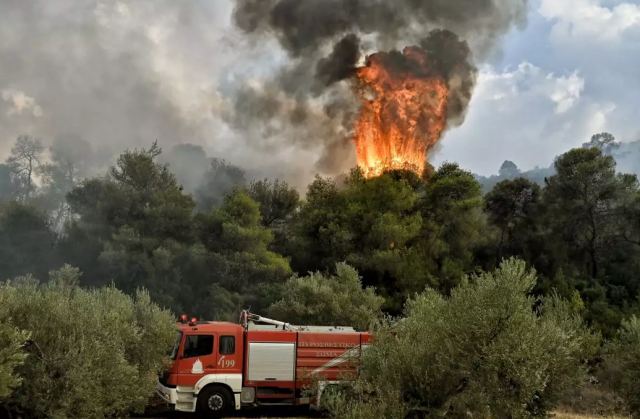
[[135, 227]]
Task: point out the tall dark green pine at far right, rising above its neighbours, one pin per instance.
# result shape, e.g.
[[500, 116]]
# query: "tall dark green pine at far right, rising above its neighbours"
[[588, 209]]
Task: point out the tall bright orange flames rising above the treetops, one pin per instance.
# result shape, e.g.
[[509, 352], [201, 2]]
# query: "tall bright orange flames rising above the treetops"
[[403, 112]]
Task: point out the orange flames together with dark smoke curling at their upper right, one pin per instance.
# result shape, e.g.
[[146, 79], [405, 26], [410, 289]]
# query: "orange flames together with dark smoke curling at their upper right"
[[408, 99]]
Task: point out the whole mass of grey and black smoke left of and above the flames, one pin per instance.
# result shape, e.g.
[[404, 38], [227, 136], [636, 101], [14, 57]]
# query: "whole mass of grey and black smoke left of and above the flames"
[[265, 84]]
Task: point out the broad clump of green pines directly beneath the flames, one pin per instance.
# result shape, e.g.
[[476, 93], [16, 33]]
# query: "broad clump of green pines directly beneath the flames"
[[401, 233]]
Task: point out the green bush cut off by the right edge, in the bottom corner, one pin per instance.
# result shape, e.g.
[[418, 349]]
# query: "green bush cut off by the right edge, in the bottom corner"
[[622, 363]]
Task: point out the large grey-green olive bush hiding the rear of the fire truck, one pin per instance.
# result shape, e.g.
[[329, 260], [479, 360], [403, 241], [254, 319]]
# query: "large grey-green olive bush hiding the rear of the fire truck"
[[482, 352]]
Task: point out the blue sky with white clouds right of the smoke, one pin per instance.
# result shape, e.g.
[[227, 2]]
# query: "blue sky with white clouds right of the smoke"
[[572, 72]]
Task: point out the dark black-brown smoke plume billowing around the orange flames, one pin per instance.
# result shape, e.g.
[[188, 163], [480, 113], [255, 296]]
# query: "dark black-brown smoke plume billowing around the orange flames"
[[325, 40]]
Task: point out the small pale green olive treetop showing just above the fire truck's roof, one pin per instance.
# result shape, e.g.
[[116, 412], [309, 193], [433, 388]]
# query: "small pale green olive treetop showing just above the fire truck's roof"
[[332, 300]]
